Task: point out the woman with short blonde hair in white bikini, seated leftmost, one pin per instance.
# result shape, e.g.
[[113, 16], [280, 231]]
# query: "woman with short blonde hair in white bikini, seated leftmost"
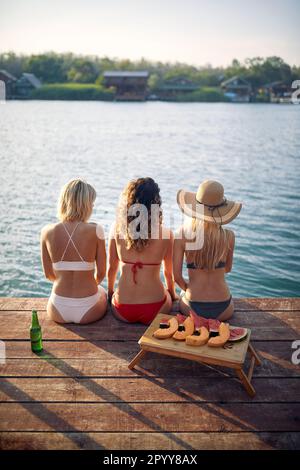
[[74, 258]]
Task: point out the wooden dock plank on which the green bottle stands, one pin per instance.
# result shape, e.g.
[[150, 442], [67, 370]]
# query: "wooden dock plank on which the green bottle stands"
[[112, 359]]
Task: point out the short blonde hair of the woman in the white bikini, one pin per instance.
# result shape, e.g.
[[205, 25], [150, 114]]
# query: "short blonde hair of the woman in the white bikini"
[[76, 201]]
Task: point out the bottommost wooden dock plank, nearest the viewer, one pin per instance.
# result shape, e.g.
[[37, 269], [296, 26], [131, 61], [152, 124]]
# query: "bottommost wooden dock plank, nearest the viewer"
[[149, 441]]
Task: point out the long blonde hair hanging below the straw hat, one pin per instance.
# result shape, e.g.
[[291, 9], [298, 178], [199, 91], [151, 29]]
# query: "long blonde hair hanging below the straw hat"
[[215, 245]]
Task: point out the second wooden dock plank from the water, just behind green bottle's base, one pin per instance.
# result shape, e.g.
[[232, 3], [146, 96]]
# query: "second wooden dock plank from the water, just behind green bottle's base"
[[264, 325]]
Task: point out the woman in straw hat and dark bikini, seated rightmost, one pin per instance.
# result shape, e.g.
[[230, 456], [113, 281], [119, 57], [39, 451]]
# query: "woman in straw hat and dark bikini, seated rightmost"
[[208, 250]]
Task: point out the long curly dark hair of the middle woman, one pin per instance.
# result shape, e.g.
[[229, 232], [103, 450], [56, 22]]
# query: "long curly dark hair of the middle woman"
[[140, 191]]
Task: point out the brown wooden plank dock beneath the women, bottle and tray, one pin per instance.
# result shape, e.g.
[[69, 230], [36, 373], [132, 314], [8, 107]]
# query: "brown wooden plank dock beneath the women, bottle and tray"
[[80, 394]]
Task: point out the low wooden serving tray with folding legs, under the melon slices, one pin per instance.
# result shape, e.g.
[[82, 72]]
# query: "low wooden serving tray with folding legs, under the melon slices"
[[232, 355]]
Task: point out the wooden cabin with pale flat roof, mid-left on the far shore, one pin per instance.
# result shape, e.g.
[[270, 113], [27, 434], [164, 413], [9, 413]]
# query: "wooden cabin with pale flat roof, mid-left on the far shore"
[[129, 85]]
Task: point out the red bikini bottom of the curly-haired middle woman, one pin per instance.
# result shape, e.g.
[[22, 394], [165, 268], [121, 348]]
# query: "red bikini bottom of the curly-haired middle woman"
[[139, 313]]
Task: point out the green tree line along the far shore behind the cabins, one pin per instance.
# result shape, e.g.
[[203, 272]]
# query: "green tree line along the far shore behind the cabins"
[[56, 68]]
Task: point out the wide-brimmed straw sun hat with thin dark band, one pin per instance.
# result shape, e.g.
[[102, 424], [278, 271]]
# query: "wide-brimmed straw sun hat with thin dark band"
[[208, 203]]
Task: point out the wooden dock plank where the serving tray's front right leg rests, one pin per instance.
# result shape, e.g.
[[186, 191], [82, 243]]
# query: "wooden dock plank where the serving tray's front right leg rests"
[[150, 389]]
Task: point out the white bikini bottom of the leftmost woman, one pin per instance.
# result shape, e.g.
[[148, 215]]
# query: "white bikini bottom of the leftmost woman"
[[72, 309]]
